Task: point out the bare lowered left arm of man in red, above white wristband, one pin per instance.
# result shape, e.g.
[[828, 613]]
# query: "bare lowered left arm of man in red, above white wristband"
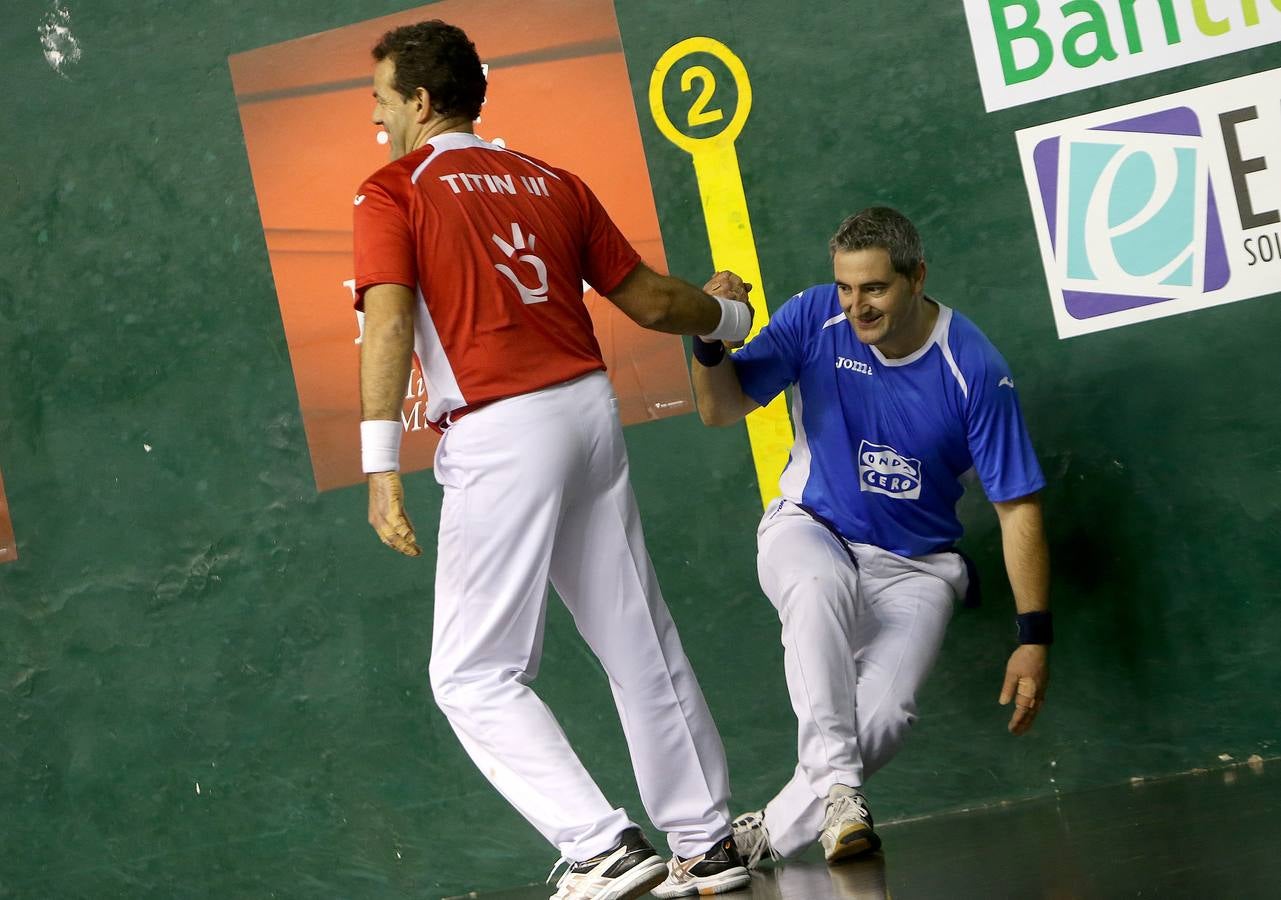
[[386, 353]]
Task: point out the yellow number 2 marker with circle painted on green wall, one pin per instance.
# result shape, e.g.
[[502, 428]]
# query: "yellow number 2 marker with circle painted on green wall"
[[730, 229]]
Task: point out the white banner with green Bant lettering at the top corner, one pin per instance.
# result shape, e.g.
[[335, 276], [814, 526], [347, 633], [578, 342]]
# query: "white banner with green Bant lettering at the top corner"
[[1029, 51]]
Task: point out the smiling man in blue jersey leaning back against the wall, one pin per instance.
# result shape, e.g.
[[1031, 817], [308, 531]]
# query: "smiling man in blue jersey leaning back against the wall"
[[895, 398]]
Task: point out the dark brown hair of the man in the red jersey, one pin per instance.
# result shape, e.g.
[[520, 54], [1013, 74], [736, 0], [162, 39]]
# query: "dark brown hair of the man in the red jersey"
[[437, 57]]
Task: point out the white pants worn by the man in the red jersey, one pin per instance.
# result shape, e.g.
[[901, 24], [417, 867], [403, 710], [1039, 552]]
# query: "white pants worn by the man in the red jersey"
[[536, 491]]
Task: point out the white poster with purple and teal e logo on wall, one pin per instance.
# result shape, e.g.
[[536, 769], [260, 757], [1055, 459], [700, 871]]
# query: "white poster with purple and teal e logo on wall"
[[1160, 208]]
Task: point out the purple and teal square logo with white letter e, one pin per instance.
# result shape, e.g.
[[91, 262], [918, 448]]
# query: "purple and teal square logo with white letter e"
[[1132, 214]]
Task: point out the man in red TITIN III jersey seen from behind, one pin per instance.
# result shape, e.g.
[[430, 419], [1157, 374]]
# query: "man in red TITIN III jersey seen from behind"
[[475, 257]]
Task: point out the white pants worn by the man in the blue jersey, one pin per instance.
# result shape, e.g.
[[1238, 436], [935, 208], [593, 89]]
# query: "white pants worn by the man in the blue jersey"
[[858, 645]]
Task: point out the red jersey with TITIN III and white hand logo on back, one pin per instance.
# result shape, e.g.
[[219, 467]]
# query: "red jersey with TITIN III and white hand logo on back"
[[498, 246]]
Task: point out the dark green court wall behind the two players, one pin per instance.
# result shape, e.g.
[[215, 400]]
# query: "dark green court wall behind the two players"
[[199, 614]]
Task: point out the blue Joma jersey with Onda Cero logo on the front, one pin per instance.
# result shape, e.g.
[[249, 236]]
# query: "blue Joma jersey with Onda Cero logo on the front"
[[882, 445]]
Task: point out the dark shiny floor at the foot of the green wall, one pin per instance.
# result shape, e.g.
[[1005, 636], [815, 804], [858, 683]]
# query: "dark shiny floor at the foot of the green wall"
[[1215, 837]]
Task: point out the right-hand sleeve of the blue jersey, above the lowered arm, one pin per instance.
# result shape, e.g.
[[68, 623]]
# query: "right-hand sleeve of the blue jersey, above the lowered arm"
[[1000, 445]]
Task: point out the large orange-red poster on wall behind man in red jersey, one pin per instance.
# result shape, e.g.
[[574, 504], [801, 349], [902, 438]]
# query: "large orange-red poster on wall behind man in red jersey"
[[559, 90]]
